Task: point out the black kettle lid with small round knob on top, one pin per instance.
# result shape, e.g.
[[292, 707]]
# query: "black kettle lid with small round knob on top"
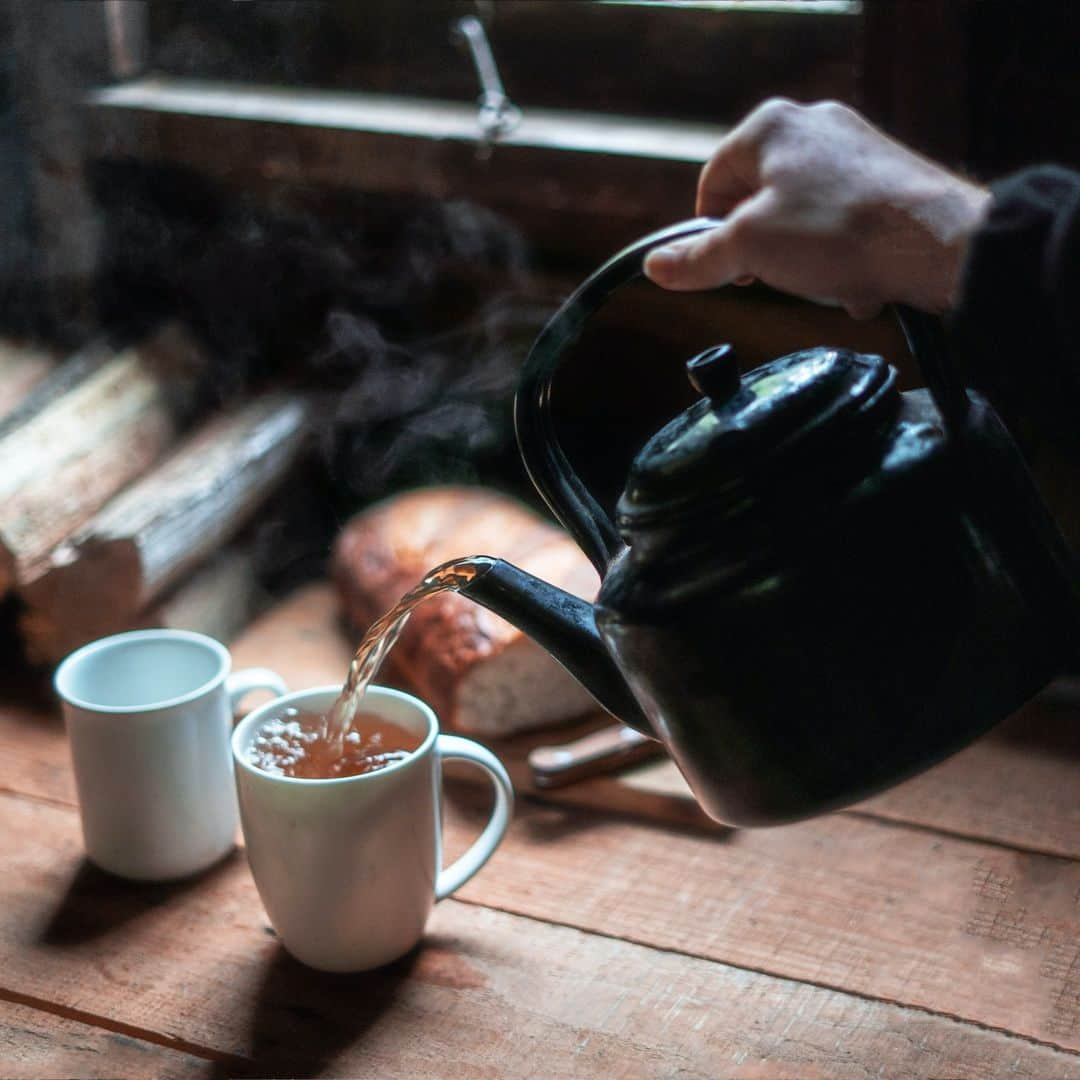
[[812, 404]]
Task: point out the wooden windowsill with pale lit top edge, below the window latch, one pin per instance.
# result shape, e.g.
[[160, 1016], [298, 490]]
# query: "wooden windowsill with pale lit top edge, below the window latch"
[[580, 185]]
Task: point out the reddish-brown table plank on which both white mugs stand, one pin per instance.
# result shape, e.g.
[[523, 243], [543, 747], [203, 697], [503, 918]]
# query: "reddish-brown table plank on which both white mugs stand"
[[489, 994]]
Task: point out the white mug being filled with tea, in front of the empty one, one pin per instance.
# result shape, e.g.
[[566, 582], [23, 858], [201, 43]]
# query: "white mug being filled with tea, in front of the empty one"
[[349, 869]]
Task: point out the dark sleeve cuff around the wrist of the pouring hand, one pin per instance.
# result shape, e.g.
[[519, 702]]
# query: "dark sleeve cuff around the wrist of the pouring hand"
[[1017, 329]]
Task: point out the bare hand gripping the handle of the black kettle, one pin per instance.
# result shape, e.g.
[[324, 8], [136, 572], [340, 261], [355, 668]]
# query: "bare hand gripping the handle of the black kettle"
[[820, 204]]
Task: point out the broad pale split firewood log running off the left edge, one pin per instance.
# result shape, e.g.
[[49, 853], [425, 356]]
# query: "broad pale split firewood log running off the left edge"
[[83, 436]]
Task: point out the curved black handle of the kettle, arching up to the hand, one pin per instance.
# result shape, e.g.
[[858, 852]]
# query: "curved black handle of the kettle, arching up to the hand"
[[549, 468]]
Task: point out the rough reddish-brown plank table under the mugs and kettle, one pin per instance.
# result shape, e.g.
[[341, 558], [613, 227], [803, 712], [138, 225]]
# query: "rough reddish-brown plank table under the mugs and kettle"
[[934, 933]]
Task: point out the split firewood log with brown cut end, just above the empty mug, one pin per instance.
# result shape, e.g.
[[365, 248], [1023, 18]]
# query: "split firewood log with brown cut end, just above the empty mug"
[[155, 532]]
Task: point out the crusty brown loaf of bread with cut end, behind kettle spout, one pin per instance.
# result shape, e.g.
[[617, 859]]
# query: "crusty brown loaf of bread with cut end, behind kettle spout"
[[478, 672]]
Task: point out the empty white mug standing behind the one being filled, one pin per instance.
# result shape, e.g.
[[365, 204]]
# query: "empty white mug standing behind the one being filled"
[[150, 715]]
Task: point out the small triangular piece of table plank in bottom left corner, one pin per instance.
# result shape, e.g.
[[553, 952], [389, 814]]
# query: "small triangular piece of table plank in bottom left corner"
[[36, 1044]]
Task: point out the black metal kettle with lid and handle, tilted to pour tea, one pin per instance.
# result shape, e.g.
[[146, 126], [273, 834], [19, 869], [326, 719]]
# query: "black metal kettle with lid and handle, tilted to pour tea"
[[816, 586]]
